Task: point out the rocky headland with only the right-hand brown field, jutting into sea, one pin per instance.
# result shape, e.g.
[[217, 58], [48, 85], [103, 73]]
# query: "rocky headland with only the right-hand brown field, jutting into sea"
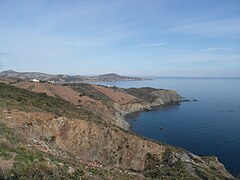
[[114, 102]]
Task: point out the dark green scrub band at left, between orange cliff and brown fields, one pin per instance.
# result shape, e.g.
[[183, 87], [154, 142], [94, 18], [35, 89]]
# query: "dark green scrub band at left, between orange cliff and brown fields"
[[15, 98]]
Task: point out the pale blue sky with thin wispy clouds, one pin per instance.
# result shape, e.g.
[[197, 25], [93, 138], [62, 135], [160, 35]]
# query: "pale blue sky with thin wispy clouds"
[[128, 37]]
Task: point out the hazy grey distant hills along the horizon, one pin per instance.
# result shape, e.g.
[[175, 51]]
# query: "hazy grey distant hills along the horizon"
[[61, 78]]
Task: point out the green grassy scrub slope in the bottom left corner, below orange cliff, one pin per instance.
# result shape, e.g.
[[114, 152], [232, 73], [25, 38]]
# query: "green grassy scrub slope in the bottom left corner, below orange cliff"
[[30, 163]]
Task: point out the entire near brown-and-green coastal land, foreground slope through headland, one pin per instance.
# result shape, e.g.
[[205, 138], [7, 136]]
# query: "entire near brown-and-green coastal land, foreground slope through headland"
[[50, 137]]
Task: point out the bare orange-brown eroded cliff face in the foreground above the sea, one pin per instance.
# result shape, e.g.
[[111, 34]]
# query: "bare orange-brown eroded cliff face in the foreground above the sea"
[[110, 146]]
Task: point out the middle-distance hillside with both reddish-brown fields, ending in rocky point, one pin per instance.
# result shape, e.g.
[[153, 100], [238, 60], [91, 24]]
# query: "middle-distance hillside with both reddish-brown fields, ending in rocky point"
[[110, 103]]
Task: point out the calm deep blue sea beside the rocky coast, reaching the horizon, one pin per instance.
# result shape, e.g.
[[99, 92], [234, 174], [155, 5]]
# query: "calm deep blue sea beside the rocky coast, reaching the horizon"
[[210, 126]]
